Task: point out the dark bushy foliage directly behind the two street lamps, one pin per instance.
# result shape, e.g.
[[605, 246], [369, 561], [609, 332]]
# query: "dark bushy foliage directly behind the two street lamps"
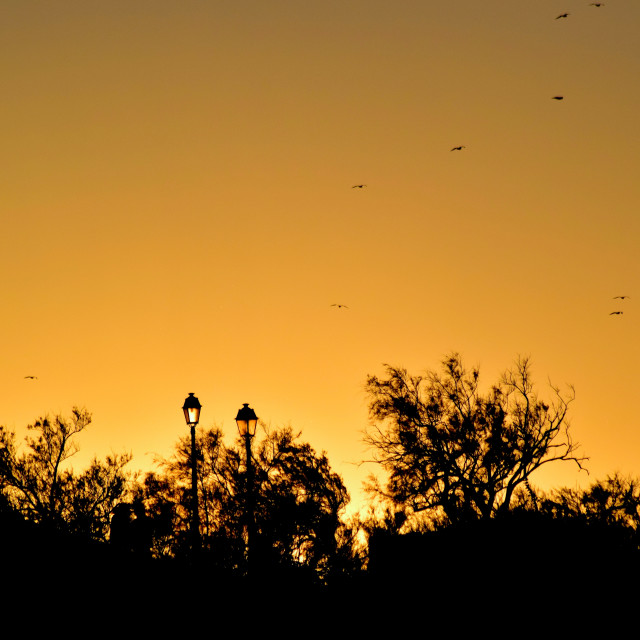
[[297, 505]]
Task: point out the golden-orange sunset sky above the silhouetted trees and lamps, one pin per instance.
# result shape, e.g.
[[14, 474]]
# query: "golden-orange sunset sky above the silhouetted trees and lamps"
[[178, 213]]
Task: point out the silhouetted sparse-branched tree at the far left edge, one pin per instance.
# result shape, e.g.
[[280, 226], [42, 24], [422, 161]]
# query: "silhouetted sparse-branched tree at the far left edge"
[[39, 485]]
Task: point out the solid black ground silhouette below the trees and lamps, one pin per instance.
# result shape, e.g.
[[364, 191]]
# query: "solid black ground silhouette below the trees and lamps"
[[513, 569]]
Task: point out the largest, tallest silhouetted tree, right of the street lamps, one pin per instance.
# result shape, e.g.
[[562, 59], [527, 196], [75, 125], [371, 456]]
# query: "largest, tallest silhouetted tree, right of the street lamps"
[[455, 452]]
